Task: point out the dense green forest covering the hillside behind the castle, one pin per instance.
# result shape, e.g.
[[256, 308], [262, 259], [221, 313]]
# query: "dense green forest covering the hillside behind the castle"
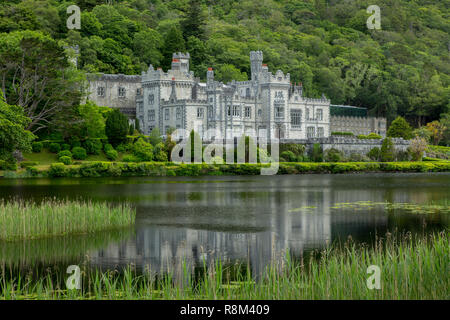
[[402, 69]]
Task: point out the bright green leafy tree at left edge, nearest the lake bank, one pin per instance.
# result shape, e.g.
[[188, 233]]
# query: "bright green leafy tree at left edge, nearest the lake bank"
[[13, 133]]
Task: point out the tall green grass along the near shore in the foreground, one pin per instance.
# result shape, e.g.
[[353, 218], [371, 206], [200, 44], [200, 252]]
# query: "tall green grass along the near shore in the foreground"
[[410, 269]]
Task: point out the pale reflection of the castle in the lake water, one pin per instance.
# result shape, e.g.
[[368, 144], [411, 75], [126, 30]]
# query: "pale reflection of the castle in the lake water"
[[253, 223]]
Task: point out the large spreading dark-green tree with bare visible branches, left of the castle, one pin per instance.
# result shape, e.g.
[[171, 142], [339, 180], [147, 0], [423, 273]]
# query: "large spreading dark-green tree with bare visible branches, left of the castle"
[[36, 75]]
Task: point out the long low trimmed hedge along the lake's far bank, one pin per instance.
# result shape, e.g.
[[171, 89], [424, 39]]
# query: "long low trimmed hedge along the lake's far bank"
[[110, 169]]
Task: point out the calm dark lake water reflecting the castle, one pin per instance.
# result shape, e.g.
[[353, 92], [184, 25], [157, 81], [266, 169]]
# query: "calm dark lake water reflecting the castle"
[[250, 219]]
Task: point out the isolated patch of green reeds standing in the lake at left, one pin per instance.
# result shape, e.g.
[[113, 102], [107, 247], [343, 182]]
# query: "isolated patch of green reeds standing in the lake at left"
[[28, 220]]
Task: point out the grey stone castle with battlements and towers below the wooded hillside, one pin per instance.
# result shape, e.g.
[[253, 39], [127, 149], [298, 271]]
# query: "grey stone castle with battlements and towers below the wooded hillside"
[[267, 105]]
